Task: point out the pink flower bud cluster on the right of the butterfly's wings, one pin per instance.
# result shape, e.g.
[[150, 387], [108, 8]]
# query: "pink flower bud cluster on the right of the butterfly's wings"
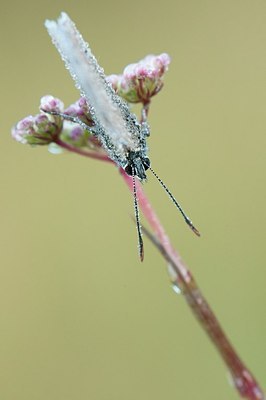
[[142, 80]]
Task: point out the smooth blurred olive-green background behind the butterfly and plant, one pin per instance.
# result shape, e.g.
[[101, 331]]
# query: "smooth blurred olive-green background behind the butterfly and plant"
[[80, 317]]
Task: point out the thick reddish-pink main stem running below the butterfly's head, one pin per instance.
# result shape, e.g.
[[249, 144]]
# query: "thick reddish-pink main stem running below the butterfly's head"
[[244, 381]]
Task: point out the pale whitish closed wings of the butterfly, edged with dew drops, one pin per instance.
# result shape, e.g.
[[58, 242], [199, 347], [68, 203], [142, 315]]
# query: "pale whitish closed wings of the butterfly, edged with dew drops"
[[110, 110]]
